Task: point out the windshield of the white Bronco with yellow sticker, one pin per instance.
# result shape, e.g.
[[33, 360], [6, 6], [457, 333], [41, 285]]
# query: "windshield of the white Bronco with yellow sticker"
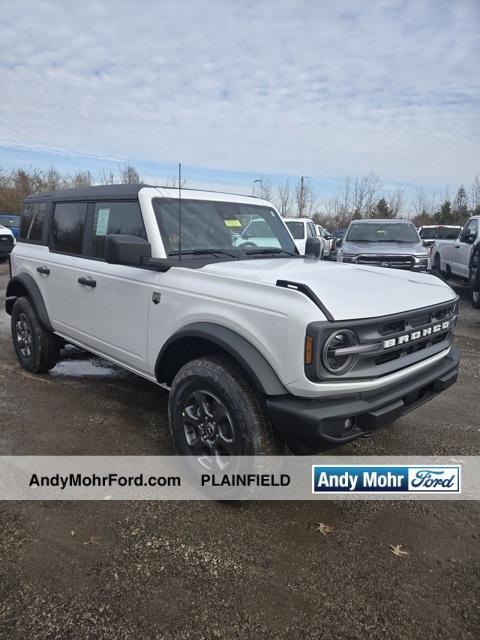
[[209, 226]]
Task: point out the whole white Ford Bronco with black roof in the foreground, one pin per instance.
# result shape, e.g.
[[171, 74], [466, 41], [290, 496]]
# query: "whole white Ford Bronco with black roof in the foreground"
[[258, 345]]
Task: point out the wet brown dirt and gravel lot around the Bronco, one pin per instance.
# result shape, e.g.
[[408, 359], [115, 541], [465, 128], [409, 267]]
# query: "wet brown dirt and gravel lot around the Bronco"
[[208, 570]]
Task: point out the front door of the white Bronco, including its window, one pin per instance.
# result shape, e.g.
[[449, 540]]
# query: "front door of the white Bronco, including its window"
[[113, 300]]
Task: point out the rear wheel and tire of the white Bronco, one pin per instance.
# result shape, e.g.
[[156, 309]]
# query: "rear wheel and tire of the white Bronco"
[[44, 347]]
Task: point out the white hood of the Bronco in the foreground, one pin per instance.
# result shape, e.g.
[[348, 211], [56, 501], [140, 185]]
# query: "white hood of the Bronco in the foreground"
[[348, 291]]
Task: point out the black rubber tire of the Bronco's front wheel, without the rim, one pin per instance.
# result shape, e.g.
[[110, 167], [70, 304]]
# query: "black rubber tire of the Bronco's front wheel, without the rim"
[[224, 379]]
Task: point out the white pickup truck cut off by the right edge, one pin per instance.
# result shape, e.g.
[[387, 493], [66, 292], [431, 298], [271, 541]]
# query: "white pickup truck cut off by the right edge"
[[460, 259]]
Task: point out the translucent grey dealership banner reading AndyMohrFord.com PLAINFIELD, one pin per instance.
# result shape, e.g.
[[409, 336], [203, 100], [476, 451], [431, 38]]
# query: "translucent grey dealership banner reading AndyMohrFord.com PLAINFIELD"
[[239, 478]]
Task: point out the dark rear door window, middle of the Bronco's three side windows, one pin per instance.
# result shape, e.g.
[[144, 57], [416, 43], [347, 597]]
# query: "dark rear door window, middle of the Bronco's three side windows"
[[67, 227]]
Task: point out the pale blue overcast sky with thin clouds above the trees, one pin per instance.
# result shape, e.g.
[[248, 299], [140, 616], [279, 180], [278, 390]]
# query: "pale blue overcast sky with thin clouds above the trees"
[[239, 88]]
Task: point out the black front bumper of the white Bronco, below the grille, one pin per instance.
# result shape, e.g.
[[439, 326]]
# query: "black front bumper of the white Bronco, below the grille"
[[308, 426]]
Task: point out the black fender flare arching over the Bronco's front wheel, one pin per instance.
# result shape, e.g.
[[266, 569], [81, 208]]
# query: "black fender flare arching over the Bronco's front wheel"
[[239, 348]]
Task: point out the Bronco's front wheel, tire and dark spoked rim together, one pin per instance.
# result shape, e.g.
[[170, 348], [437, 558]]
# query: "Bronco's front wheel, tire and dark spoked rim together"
[[215, 413]]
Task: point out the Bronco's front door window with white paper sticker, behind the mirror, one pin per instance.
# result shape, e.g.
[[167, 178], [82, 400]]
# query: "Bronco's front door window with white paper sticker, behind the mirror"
[[124, 218]]
